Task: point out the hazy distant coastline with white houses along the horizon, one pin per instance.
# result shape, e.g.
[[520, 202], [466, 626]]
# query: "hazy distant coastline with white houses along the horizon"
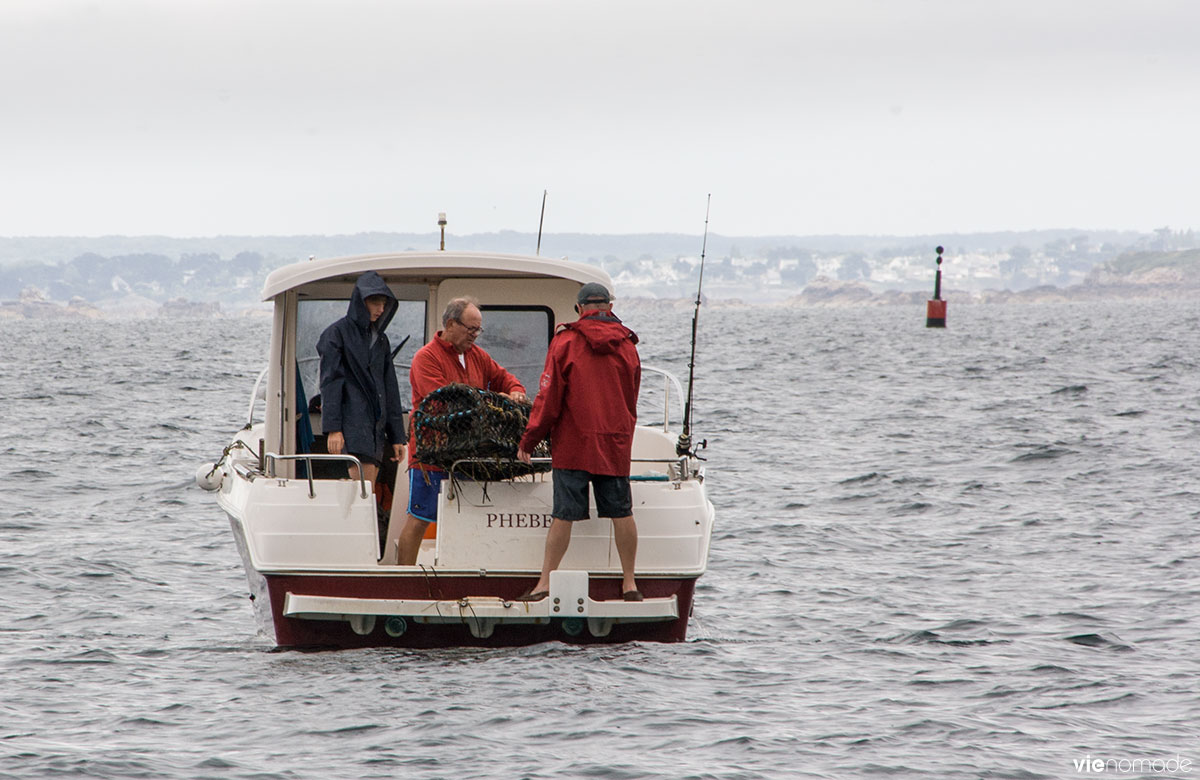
[[190, 278]]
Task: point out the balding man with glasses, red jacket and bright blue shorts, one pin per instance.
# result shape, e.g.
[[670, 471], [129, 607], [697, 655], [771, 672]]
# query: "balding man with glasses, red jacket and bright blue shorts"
[[451, 357]]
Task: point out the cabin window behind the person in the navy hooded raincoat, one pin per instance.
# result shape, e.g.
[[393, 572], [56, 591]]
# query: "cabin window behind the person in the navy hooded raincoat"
[[315, 316]]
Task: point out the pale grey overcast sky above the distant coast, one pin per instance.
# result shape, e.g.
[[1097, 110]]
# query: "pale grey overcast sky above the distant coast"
[[245, 117]]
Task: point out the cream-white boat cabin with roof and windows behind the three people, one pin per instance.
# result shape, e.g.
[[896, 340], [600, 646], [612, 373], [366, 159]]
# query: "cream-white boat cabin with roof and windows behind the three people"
[[523, 299]]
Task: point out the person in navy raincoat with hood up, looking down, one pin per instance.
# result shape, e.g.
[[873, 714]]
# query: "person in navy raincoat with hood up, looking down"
[[361, 401]]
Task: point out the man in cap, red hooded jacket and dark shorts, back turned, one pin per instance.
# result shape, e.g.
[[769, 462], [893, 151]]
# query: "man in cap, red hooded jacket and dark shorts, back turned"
[[587, 403]]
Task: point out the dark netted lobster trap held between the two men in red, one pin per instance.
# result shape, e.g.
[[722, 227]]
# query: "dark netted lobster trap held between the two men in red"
[[475, 434]]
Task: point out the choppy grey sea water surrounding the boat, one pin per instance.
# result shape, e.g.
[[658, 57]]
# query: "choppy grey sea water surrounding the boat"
[[962, 554]]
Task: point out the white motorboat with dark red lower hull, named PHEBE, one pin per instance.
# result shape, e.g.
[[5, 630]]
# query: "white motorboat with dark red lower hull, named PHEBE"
[[323, 572]]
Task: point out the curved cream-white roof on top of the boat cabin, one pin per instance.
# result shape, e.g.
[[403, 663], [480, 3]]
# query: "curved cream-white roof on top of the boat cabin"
[[430, 266]]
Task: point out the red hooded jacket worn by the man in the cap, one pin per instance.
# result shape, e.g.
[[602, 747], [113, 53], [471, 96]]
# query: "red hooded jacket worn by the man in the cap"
[[587, 397]]
